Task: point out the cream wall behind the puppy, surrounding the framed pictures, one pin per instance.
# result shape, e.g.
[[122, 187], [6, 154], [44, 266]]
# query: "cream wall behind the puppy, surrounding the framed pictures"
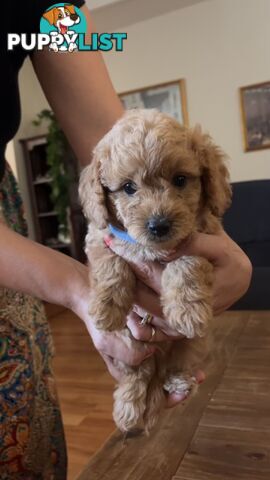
[[216, 45]]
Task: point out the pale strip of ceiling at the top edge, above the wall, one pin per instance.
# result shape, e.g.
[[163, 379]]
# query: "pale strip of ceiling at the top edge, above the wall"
[[110, 15]]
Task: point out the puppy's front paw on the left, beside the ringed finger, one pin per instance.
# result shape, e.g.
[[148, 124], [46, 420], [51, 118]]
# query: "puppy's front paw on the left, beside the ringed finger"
[[106, 313]]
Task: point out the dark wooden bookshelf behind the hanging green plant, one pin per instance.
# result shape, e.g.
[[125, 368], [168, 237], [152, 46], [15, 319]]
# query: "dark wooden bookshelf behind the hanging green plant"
[[45, 220]]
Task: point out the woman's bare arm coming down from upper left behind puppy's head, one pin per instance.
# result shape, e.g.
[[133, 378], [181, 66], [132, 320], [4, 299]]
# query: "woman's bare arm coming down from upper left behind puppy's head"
[[80, 92]]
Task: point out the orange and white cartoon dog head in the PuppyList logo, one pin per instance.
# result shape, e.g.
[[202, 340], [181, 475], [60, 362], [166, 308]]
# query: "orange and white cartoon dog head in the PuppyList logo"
[[62, 17]]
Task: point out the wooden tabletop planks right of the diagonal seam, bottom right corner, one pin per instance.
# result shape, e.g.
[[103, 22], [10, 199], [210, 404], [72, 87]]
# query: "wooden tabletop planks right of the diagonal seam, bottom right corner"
[[233, 437]]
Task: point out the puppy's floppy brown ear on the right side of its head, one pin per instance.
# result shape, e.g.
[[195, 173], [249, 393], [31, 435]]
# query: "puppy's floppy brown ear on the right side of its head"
[[215, 176]]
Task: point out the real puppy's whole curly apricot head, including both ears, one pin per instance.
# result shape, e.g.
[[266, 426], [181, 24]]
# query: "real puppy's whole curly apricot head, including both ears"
[[154, 174]]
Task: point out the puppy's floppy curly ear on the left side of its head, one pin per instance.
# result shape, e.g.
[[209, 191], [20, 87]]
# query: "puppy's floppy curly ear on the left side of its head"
[[92, 195]]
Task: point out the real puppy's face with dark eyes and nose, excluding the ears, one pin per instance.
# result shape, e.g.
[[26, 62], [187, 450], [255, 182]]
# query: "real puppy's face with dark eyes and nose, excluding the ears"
[[155, 191]]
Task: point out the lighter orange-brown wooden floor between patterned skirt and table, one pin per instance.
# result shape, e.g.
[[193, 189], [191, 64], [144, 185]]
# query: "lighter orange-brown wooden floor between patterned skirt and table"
[[85, 390]]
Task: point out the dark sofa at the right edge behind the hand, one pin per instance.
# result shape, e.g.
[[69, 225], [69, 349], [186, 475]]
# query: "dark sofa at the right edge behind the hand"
[[248, 223]]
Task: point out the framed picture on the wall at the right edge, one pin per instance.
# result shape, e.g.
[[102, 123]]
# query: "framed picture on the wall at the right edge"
[[255, 106]]
